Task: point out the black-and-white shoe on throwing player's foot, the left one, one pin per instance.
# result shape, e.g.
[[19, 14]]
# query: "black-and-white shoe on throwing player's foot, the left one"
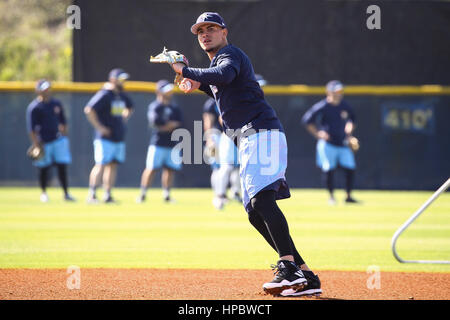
[[287, 276]]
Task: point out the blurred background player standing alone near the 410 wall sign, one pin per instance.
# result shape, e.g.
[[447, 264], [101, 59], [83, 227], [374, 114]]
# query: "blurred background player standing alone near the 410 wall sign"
[[331, 122]]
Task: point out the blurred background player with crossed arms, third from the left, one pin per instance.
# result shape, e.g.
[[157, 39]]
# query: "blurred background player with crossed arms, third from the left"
[[164, 117]]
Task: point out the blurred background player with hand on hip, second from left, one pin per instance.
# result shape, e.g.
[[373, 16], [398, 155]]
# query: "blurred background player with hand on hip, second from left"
[[108, 111]]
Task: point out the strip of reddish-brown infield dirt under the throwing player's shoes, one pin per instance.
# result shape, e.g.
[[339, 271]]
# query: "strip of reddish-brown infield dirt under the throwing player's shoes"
[[158, 284]]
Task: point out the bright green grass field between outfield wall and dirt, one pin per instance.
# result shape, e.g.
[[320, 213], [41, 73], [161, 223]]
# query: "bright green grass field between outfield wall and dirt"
[[192, 234]]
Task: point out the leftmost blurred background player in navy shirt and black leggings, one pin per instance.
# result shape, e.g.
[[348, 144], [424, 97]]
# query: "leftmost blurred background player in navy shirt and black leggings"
[[47, 128]]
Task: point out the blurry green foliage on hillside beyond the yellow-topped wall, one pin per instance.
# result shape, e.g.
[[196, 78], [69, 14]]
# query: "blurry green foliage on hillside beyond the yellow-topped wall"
[[34, 40]]
